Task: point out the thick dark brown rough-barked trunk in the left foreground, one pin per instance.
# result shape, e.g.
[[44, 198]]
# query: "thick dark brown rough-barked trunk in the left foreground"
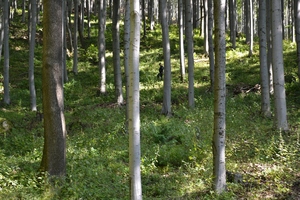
[[54, 153]]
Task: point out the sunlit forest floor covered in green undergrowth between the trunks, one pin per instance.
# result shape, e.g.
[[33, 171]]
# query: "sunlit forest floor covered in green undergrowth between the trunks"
[[262, 163]]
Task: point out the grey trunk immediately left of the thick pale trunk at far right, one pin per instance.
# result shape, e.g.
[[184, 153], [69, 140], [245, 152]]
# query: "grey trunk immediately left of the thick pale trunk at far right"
[[264, 73]]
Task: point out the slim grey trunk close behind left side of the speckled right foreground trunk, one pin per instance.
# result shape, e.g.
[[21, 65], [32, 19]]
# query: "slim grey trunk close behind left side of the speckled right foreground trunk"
[[211, 42]]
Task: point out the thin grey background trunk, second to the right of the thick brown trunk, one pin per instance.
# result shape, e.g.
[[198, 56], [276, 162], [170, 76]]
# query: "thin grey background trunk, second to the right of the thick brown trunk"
[[75, 40]]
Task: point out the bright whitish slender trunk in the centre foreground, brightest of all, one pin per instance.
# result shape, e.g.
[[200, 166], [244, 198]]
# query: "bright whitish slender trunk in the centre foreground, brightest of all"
[[134, 103]]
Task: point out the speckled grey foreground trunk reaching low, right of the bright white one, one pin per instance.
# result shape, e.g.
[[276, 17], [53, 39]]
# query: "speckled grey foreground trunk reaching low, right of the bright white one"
[[219, 171]]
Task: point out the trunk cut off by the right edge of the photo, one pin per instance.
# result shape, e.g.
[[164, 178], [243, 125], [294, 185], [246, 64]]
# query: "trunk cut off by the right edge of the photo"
[[297, 32]]
